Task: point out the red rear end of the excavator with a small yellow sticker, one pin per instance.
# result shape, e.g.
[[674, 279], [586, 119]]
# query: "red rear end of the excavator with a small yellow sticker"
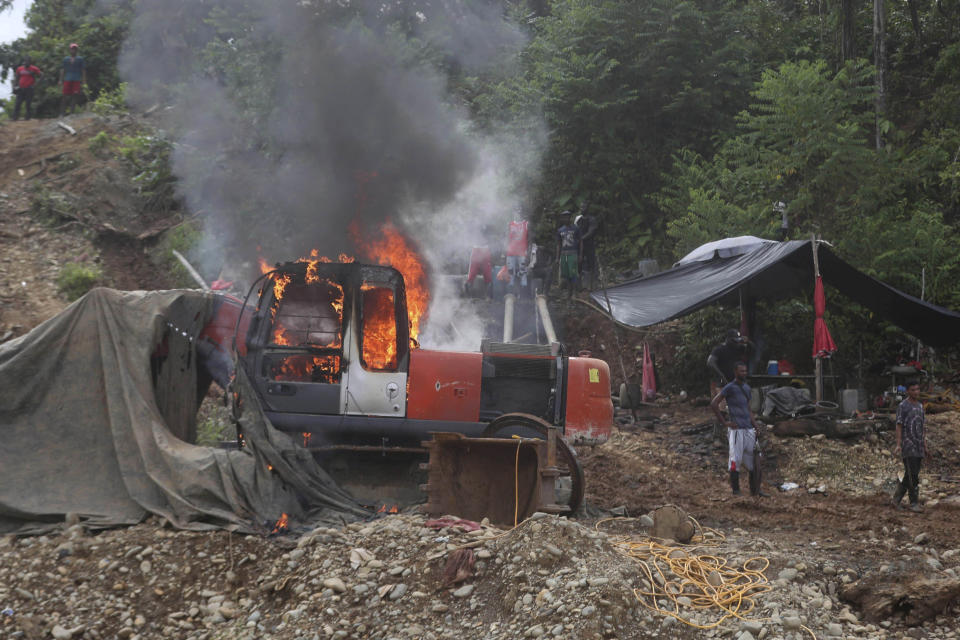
[[589, 406]]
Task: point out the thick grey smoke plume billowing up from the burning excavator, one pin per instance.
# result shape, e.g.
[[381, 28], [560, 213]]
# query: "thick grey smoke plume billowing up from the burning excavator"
[[294, 119]]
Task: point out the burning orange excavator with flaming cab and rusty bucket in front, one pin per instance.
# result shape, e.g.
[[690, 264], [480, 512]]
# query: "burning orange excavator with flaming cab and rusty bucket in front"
[[330, 351]]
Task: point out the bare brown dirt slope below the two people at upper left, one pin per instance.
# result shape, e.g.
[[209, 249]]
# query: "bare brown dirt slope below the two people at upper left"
[[71, 198]]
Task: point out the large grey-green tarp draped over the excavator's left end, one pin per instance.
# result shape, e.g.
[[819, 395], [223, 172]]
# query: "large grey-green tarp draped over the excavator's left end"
[[96, 407]]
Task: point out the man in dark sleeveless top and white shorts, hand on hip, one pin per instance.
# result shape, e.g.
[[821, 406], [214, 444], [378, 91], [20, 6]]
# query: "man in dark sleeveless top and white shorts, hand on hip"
[[741, 430]]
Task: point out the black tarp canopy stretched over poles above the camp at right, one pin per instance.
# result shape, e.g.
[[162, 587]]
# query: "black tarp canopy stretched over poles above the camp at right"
[[771, 271]]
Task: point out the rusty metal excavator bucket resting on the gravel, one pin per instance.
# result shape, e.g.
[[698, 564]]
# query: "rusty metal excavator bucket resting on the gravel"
[[502, 479]]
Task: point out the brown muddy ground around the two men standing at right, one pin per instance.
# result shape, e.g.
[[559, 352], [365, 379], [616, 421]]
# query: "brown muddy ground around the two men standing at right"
[[644, 469]]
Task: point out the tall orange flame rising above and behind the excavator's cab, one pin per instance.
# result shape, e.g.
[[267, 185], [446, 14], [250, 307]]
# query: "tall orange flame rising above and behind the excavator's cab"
[[395, 250]]
